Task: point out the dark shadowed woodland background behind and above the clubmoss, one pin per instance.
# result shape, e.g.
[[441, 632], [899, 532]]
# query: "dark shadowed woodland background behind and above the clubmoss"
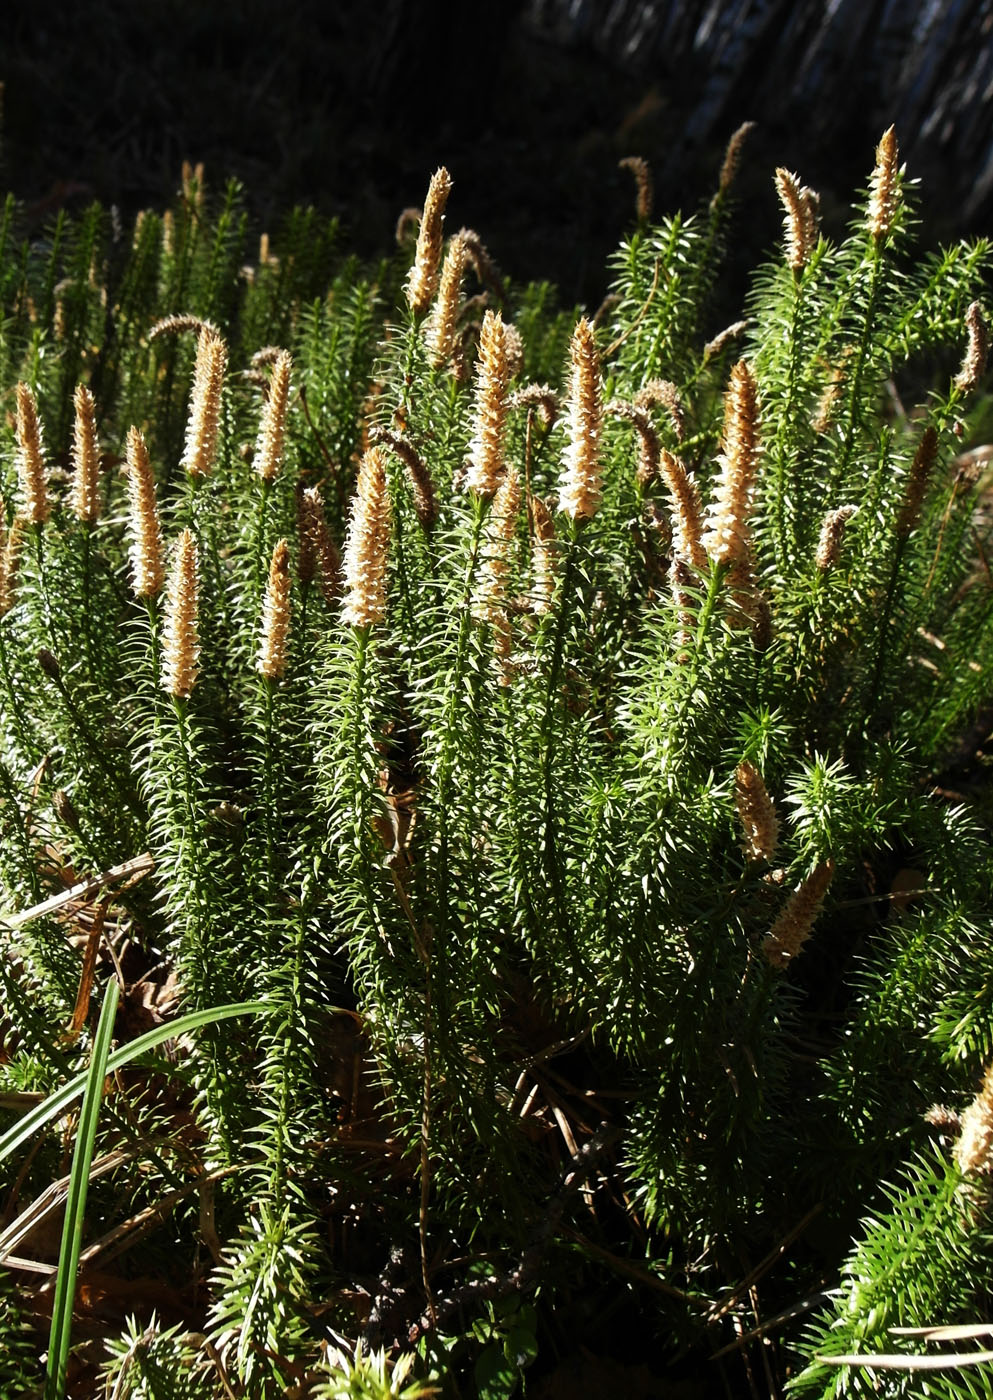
[[530, 103]]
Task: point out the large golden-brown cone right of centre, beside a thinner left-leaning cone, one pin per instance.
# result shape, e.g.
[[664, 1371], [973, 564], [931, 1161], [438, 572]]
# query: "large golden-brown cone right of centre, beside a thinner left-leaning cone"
[[726, 537]]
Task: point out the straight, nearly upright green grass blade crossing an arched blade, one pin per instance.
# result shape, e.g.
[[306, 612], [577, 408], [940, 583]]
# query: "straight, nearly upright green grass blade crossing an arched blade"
[[76, 1202]]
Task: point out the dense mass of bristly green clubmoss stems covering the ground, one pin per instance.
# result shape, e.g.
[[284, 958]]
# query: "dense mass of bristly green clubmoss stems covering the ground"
[[571, 871]]
